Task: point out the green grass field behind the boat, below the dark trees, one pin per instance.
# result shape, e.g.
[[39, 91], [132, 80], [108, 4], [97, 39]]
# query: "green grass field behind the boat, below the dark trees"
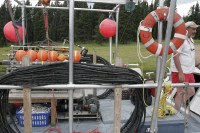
[[127, 52]]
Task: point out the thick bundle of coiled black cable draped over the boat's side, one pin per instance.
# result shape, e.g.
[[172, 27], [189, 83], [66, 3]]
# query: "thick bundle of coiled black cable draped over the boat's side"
[[58, 73]]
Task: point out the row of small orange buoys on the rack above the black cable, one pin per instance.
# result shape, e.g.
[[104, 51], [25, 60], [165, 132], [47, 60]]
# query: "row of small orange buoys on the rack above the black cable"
[[43, 55]]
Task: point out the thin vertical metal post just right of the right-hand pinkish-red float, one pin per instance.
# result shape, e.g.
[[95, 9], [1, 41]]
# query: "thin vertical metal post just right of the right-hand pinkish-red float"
[[116, 36]]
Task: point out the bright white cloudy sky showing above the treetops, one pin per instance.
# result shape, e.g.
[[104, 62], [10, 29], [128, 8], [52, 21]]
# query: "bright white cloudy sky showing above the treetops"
[[183, 6]]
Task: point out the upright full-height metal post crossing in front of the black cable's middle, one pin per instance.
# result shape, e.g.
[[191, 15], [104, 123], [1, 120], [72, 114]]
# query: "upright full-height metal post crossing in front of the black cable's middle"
[[71, 62]]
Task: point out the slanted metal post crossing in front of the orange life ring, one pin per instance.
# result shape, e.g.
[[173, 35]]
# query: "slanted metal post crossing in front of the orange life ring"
[[153, 128]]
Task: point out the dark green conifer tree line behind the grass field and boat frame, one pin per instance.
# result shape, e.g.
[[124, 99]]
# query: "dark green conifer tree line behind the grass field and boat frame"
[[86, 23]]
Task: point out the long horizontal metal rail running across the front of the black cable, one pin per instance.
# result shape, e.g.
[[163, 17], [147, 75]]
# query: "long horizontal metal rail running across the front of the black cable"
[[104, 86]]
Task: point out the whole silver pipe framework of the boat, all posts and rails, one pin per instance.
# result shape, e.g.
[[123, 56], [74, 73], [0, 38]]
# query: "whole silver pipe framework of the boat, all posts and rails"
[[72, 86]]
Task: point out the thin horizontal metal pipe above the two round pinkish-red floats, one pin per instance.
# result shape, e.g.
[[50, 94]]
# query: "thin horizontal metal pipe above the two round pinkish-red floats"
[[67, 8]]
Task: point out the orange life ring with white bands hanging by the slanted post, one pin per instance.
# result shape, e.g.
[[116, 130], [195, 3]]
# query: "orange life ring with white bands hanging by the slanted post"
[[146, 31]]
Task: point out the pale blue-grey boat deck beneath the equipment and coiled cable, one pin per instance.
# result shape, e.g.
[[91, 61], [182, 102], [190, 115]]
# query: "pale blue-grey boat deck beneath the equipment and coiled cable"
[[173, 124]]
